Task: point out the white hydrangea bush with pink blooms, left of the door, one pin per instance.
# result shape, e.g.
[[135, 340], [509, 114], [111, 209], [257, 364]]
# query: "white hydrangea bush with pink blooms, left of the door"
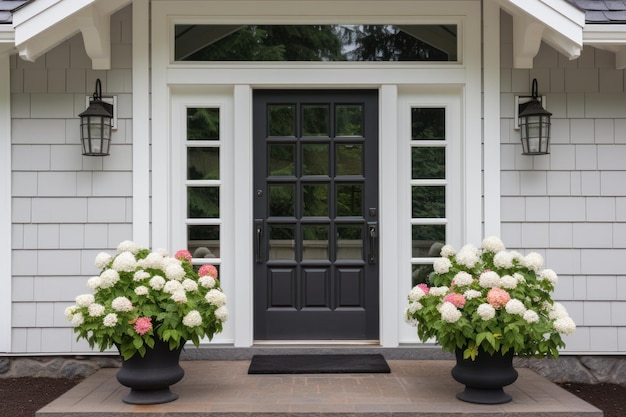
[[142, 295]]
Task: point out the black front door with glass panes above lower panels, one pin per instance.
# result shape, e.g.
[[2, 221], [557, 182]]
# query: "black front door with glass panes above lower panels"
[[316, 215]]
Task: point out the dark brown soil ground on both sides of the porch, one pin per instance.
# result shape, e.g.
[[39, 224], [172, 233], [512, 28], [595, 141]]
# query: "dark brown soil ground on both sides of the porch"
[[22, 397]]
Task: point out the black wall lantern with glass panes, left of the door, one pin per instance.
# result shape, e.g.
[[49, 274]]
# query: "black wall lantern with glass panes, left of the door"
[[95, 125]]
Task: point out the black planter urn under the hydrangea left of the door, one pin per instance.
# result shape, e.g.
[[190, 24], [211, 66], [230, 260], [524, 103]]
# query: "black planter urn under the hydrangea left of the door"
[[149, 377]]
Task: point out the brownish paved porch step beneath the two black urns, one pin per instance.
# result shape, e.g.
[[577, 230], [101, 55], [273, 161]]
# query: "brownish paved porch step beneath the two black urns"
[[414, 388]]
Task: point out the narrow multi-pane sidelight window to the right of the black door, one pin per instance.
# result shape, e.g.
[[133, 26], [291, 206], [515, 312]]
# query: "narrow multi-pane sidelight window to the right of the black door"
[[428, 188]]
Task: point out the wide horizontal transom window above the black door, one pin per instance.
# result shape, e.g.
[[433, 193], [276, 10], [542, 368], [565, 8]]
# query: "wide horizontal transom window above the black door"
[[316, 43]]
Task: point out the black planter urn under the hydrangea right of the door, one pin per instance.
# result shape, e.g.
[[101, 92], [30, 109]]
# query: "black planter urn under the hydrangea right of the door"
[[485, 377]]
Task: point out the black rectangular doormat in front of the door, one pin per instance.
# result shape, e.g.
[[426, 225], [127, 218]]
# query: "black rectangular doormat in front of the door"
[[318, 364]]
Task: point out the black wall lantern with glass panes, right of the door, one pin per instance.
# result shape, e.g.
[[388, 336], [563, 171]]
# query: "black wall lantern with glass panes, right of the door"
[[534, 123]]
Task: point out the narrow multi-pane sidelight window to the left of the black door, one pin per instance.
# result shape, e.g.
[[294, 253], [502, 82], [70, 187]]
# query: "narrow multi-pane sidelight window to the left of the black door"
[[203, 183]]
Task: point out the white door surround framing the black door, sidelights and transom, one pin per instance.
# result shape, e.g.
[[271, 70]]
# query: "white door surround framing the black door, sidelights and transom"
[[169, 77]]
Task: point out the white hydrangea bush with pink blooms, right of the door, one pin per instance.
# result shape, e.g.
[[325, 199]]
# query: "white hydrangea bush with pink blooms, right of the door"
[[492, 299]]
